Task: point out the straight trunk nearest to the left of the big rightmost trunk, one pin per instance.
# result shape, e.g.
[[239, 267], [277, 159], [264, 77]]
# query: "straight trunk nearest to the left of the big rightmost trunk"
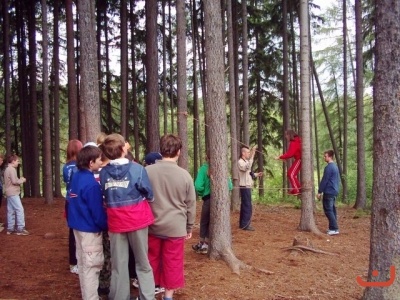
[[361, 200]]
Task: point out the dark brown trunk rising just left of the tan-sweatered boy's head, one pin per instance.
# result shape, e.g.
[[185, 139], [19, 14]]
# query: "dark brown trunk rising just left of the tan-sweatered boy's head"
[[152, 97]]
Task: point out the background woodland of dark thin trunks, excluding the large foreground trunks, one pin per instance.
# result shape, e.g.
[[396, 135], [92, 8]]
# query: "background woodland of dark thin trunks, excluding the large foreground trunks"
[[43, 84]]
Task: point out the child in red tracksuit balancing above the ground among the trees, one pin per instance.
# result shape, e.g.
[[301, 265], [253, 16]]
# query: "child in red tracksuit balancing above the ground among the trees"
[[294, 151]]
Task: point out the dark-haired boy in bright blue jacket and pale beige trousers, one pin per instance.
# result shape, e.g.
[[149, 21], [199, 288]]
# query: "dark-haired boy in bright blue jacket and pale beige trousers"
[[87, 217]]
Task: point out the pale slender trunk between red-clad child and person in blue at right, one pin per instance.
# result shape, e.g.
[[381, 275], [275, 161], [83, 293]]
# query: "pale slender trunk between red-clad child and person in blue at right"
[[307, 221]]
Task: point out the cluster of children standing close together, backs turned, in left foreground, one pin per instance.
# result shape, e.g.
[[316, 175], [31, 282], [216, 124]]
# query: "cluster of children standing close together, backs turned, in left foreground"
[[110, 205]]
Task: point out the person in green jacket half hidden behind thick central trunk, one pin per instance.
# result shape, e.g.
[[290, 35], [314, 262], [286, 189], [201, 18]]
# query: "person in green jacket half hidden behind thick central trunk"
[[203, 189]]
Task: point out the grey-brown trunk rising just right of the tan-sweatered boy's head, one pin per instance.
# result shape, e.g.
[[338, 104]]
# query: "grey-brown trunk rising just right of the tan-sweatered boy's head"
[[181, 84]]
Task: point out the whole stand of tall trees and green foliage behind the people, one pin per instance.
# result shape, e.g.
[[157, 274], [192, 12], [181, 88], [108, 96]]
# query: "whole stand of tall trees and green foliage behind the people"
[[220, 74]]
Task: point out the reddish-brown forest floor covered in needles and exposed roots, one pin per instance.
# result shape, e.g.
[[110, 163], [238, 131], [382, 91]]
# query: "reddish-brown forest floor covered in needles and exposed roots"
[[34, 267]]
